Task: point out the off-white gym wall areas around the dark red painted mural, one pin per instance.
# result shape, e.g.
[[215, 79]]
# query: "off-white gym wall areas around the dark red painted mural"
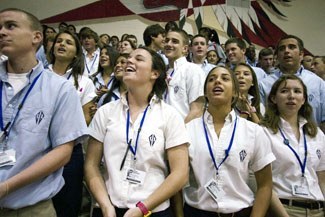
[[304, 19]]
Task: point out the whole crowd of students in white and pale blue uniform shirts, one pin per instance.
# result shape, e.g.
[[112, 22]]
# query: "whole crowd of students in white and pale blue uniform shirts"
[[183, 126]]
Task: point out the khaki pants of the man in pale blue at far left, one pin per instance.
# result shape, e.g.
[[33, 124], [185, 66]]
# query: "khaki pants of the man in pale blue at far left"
[[41, 209]]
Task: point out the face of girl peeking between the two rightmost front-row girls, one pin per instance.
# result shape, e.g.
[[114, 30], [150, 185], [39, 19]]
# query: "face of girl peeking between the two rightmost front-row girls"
[[244, 77]]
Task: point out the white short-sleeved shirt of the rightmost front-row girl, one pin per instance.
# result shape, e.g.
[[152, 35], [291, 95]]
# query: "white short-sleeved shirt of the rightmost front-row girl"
[[286, 169]]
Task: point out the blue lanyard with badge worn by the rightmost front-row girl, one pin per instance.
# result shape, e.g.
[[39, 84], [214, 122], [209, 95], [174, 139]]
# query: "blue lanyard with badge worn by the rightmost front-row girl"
[[302, 189]]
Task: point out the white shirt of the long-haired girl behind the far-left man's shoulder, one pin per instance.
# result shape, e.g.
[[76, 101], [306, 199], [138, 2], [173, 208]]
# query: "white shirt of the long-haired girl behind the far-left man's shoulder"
[[86, 90]]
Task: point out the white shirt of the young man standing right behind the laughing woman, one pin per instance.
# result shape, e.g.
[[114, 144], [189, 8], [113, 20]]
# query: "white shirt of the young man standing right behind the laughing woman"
[[185, 85]]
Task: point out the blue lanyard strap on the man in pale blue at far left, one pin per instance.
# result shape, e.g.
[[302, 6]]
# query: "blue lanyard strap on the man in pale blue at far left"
[[6, 129]]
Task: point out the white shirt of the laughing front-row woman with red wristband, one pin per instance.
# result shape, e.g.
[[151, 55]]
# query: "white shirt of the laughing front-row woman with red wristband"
[[163, 128]]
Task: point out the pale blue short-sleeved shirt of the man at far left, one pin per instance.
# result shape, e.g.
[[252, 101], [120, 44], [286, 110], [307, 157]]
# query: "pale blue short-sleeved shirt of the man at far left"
[[51, 116]]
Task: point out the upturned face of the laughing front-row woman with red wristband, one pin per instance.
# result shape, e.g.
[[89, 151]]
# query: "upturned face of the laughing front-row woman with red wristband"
[[139, 69]]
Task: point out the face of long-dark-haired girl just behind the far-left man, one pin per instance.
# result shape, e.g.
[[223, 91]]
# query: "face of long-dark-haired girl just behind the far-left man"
[[65, 47]]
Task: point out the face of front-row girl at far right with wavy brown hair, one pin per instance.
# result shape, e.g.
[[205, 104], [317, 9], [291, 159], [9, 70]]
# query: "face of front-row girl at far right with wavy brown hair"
[[289, 97]]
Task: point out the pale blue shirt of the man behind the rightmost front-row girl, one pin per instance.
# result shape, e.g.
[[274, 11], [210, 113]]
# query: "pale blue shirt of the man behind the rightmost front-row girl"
[[315, 88]]
